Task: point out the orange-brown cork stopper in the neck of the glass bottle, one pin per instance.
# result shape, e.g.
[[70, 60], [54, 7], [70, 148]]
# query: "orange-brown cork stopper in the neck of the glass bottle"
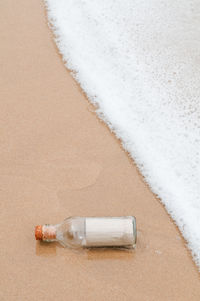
[[45, 232]]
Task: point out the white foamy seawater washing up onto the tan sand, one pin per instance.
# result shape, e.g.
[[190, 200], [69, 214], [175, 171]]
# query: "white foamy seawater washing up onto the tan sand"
[[139, 61]]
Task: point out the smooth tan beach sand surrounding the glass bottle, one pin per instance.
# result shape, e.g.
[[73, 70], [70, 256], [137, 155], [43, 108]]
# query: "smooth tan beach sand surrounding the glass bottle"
[[57, 159]]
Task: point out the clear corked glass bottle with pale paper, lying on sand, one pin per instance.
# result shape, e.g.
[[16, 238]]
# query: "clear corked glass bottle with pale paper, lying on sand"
[[86, 232]]
